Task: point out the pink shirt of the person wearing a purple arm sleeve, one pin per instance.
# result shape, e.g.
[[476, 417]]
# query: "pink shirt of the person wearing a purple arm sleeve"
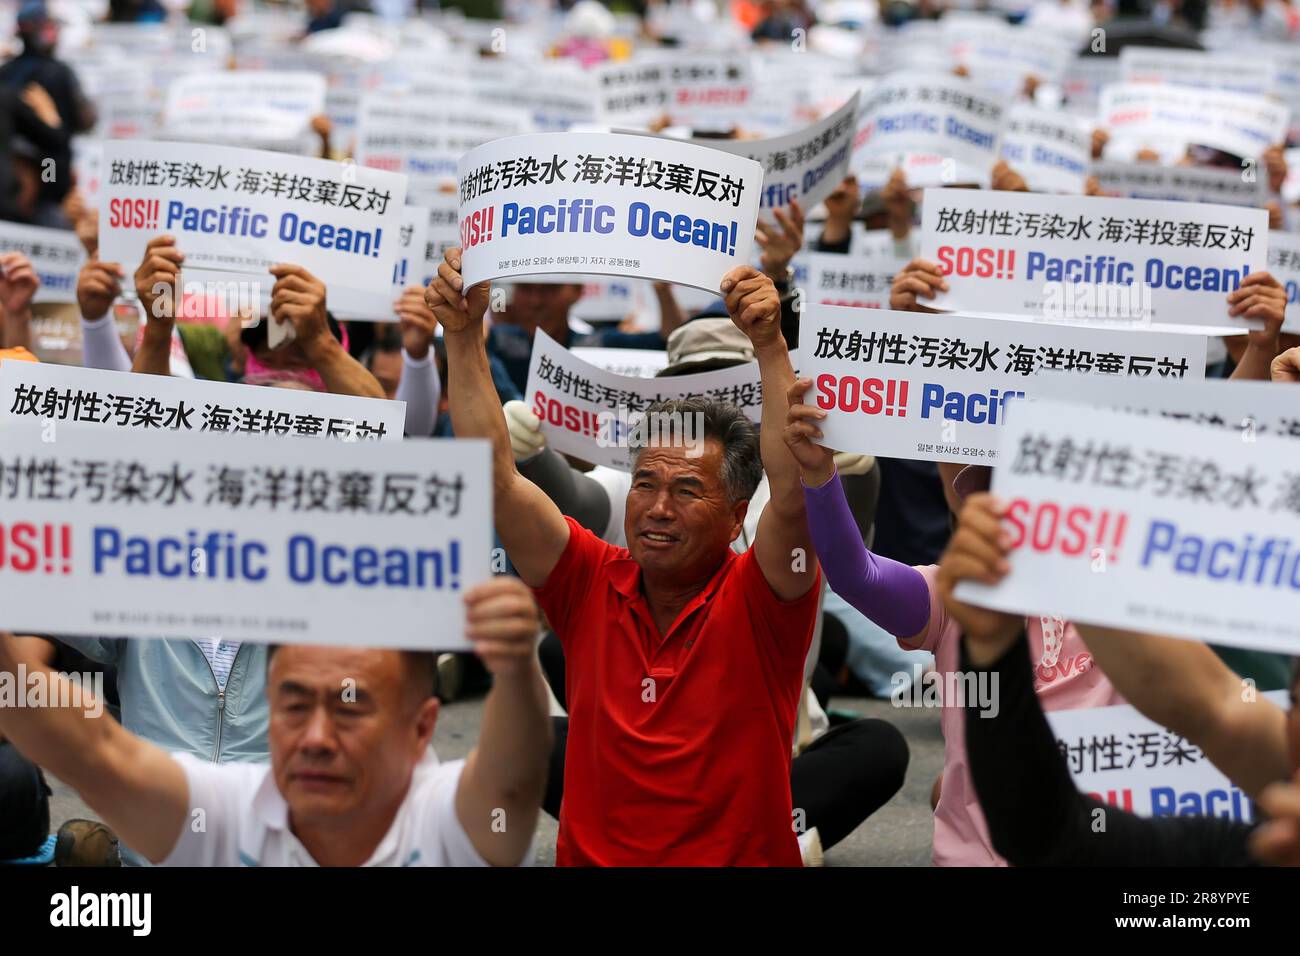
[[1067, 678]]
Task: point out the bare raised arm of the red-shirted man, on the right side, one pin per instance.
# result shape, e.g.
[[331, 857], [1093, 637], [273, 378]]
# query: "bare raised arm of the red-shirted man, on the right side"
[[783, 543]]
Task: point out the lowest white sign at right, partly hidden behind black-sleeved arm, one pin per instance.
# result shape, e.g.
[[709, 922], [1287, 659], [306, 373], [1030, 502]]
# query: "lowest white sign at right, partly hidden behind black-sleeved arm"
[[1123, 759]]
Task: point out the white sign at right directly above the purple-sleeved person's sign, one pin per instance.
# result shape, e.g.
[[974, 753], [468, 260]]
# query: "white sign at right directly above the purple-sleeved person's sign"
[[1090, 258]]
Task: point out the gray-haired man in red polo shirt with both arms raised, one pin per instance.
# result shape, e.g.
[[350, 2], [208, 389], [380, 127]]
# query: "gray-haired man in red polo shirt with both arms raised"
[[684, 660]]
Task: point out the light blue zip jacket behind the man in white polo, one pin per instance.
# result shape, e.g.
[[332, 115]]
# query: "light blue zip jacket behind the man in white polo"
[[171, 698]]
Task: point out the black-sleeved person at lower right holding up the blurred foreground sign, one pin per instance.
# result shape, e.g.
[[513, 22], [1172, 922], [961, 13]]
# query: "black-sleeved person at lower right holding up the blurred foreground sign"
[[1037, 816]]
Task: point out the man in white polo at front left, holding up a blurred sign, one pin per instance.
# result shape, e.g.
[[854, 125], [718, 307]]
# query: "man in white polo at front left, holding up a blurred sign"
[[350, 782]]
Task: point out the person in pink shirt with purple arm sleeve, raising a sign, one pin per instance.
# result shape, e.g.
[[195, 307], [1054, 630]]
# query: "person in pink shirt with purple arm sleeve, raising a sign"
[[903, 600]]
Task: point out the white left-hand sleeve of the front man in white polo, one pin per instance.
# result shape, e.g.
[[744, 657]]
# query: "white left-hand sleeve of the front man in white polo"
[[219, 794]]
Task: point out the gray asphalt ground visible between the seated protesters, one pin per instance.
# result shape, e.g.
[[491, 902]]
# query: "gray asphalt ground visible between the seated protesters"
[[898, 836]]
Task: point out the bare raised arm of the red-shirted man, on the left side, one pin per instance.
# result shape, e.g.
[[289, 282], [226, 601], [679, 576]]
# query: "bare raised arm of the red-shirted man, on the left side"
[[532, 529]]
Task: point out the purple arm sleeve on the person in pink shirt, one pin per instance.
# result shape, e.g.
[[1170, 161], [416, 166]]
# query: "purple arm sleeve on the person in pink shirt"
[[889, 592]]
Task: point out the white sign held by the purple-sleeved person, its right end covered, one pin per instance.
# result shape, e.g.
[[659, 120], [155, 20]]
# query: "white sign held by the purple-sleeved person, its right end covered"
[[938, 387]]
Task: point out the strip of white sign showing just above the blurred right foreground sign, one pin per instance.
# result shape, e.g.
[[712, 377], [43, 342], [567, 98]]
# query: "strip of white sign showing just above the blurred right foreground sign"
[[1246, 409]]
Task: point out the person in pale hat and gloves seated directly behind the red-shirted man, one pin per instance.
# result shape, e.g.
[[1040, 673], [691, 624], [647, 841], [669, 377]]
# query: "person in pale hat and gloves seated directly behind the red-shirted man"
[[839, 778]]
